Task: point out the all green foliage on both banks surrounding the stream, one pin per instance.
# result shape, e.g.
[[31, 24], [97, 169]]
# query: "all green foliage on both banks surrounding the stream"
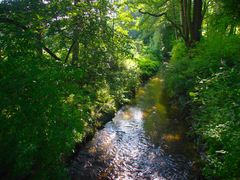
[[65, 65]]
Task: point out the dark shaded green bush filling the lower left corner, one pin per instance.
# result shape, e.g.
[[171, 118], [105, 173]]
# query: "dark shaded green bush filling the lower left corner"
[[43, 113]]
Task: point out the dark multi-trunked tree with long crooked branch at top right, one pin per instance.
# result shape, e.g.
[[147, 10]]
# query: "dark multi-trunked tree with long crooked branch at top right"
[[189, 26]]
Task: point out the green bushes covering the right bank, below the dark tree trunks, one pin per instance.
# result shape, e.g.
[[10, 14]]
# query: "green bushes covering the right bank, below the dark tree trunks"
[[207, 78]]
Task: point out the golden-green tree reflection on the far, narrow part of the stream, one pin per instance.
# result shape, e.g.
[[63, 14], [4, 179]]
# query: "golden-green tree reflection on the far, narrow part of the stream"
[[150, 99]]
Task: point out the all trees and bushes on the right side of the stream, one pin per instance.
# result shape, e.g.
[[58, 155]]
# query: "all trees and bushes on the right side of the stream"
[[202, 75]]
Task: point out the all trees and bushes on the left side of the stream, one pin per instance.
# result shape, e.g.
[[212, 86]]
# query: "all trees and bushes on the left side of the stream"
[[57, 79]]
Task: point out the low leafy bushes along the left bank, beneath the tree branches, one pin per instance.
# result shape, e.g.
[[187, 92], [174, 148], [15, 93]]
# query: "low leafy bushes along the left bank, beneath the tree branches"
[[46, 108]]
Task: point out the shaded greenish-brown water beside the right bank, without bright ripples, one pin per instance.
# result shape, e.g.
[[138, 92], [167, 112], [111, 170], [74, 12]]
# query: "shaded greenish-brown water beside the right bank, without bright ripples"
[[160, 124]]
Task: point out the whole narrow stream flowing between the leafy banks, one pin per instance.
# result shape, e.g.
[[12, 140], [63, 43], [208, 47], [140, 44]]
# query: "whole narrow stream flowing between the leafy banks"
[[141, 142]]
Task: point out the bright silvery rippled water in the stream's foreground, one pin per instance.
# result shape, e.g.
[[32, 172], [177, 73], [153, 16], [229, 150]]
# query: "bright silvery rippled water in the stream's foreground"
[[123, 151]]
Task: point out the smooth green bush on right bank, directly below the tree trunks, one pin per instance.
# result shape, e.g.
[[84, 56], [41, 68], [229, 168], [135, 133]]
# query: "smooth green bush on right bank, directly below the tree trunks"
[[186, 67]]
